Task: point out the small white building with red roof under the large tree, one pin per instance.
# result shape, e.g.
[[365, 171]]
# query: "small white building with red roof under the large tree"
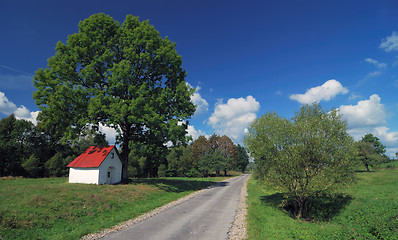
[[97, 165]]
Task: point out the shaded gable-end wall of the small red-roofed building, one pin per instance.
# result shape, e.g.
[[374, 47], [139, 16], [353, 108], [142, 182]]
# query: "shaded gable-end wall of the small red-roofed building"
[[109, 162]]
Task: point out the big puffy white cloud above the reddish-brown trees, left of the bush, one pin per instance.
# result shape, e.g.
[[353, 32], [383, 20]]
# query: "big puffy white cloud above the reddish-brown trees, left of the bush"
[[233, 117]]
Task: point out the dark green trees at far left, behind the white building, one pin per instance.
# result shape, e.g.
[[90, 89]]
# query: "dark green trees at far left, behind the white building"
[[27, 150]]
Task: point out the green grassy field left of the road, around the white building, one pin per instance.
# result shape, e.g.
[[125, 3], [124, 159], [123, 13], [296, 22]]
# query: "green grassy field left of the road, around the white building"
[[51, 208]]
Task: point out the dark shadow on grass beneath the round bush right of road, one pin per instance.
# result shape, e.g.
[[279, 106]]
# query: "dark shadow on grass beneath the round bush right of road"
[[319, 208]]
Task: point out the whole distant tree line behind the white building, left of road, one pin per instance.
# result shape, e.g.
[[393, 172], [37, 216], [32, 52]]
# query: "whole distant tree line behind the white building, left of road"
[[30, 151]]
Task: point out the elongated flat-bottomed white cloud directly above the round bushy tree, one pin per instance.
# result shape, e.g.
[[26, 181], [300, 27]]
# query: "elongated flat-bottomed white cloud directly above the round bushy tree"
[[325, 92]]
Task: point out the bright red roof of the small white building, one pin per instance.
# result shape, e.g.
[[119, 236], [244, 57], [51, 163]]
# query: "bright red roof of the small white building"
[[92, 157]]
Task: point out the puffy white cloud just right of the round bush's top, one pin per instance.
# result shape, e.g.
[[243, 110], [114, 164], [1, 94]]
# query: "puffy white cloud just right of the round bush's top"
[[367, 113]]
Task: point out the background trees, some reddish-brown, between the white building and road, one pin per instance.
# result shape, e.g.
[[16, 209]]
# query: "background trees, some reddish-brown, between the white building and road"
[[199, 159]]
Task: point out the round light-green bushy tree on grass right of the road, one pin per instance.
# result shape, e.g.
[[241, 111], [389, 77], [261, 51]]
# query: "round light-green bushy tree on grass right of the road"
[[310, 154]]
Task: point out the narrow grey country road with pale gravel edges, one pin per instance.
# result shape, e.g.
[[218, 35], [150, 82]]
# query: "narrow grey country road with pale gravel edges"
[[208, 215]]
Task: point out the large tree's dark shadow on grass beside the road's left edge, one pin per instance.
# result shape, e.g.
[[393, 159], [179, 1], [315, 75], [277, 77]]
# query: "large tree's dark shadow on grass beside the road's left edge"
[[175, 185]]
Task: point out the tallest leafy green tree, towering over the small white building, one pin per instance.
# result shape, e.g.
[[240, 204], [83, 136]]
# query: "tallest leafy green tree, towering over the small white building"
[[123, 76]]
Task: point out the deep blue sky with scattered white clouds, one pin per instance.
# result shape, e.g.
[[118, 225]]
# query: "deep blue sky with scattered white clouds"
[[244, 58]]
